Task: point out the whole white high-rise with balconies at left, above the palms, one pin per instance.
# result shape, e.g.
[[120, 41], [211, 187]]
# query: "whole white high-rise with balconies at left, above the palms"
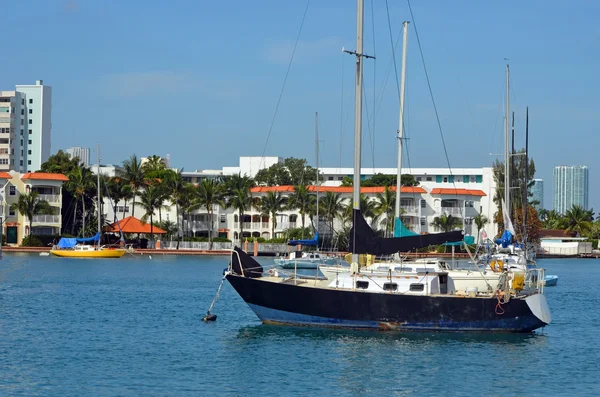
[[25, 127]]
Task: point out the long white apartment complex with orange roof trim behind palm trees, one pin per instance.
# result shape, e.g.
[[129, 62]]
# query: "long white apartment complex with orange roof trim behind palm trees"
[[464, 192]]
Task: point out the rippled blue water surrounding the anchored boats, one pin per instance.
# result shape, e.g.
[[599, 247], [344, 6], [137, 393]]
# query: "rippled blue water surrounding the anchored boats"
[[132, 327]]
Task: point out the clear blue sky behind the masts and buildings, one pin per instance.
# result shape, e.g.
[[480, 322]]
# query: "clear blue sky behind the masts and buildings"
[[200, 80]]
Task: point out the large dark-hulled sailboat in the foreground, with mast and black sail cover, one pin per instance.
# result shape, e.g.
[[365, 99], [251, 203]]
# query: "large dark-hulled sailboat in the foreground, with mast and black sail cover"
[[424, 301]]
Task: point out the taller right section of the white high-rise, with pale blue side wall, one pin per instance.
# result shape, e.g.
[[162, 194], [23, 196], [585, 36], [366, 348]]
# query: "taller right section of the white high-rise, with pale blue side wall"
[[37, 132]]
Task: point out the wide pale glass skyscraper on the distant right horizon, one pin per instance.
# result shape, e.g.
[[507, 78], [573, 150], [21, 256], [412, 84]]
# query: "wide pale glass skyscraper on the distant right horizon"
[[570, 187]]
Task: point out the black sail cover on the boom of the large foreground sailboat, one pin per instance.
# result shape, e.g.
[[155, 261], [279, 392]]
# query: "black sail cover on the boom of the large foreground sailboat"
[[363, 240]]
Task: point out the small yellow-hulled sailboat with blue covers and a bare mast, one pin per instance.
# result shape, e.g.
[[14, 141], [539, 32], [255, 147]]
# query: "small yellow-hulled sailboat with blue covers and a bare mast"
[[81, 247]]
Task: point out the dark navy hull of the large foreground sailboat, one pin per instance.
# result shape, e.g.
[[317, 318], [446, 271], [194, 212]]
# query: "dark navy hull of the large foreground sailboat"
[[289, 304]]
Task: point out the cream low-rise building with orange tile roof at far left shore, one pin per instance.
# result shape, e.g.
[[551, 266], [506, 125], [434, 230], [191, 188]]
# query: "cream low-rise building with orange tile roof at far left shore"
[[49, 188]]
